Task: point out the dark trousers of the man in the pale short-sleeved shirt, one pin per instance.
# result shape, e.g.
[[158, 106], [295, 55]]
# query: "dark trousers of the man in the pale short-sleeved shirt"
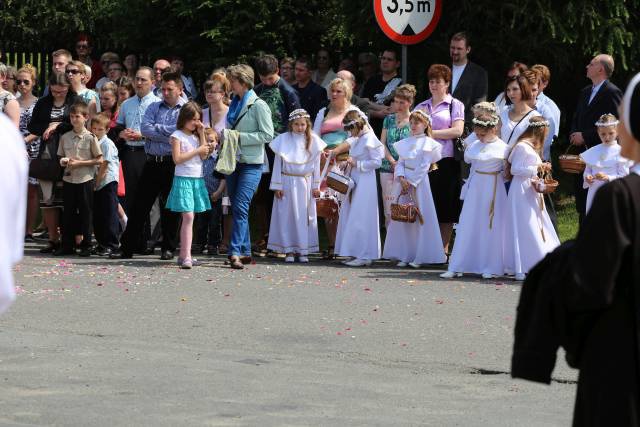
[[133, 161]]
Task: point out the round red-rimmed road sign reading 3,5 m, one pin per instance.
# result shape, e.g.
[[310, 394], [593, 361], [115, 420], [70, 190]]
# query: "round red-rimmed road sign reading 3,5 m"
[[407, 21]]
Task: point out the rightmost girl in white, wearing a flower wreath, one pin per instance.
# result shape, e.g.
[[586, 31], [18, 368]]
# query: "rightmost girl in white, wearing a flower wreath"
[[603, 162]]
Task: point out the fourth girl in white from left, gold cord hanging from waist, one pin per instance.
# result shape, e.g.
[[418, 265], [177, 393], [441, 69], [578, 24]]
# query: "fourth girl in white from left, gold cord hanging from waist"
[[479, 236]]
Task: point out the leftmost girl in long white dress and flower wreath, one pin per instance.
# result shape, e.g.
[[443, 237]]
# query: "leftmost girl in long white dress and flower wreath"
[[295, 180]]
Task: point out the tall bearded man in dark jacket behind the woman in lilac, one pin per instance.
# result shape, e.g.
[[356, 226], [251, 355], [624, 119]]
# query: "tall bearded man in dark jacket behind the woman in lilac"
[[469, 81]]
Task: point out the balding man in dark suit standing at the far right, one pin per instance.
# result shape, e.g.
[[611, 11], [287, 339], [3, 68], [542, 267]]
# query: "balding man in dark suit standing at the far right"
[[601, 97]]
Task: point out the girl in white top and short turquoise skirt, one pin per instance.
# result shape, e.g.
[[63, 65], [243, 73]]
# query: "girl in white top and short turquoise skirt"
[[188, 195]]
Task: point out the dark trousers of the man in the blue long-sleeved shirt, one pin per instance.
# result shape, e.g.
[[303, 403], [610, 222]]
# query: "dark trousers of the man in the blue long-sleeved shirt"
[[155, 182]]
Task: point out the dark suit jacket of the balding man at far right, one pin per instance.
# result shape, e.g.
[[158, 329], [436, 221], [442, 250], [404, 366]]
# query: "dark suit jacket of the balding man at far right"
[[606, 101]]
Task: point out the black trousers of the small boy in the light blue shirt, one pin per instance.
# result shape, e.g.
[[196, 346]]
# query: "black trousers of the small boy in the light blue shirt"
[[106, 225]]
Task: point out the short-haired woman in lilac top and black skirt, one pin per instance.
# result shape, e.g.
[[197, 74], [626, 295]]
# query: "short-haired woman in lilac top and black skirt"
[[447, 119]]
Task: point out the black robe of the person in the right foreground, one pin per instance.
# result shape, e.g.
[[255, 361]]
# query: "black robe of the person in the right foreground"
[[599, 296]]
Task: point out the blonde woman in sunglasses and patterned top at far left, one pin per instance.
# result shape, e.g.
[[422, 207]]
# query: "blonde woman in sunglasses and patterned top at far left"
[[25, 80]]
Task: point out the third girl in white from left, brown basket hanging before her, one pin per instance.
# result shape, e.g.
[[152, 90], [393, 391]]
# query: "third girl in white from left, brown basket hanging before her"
[[419, 242]]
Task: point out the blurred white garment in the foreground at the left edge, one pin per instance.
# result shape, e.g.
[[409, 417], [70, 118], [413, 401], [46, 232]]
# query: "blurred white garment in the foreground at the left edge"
[[13, 187]]
